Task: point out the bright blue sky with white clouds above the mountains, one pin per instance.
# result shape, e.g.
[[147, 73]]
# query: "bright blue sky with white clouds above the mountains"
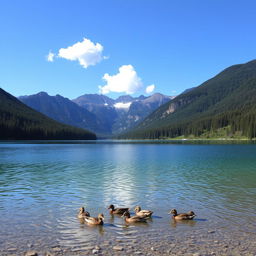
[[118, 47]]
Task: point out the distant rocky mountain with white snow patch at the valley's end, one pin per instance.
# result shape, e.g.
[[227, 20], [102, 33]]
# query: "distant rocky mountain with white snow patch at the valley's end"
[[123, 113]]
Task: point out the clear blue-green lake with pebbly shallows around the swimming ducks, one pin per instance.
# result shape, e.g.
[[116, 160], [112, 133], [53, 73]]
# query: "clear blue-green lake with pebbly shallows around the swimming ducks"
[[43, 184]]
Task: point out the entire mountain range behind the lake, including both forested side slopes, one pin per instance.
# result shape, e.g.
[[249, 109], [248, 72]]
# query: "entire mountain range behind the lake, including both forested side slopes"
[[223, 106]]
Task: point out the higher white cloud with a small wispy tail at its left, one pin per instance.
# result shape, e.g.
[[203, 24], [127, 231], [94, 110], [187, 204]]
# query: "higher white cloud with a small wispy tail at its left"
[[85, 52]]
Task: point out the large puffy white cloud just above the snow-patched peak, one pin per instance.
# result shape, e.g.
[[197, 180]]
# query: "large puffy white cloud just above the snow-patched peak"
[[126, 81]]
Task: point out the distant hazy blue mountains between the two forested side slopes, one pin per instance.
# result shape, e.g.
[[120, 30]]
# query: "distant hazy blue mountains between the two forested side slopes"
[[97, 113]]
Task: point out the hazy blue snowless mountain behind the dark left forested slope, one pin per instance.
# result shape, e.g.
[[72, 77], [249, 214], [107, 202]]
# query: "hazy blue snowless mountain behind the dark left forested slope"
[[63, 110]]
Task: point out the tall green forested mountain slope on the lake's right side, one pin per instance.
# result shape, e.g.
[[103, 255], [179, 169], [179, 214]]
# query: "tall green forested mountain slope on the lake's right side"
[[224, 104]]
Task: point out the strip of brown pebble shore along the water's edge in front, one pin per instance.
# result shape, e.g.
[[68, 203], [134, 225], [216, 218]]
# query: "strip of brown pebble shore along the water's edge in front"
[[195, 245]]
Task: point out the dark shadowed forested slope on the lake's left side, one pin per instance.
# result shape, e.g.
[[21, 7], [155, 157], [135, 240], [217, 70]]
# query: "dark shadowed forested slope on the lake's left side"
[[18, 121]]
